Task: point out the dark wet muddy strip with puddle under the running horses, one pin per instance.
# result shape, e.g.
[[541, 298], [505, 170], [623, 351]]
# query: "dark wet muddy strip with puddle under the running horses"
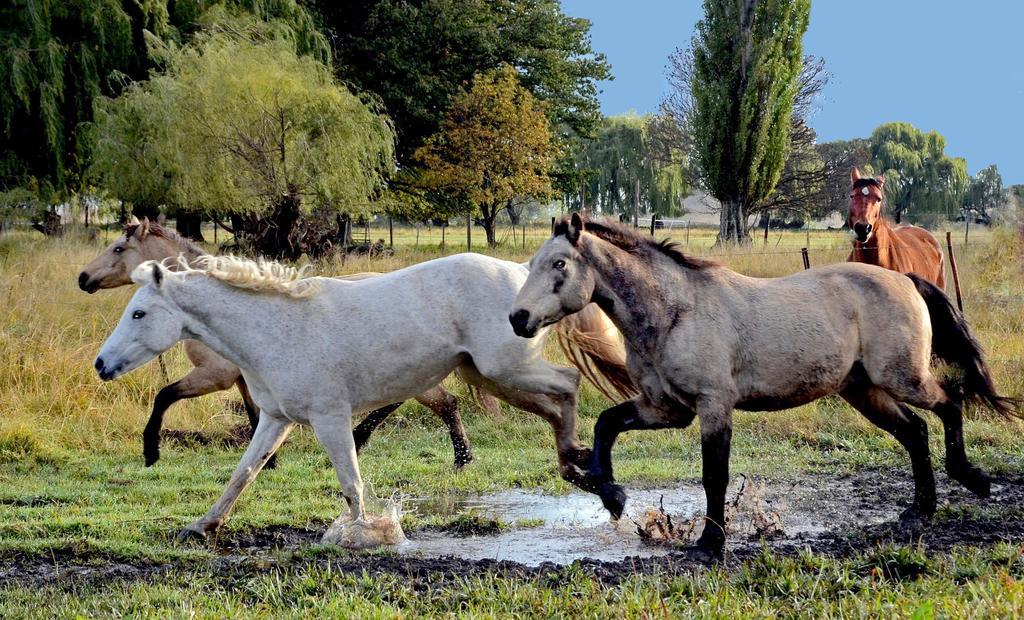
[[834, 516]]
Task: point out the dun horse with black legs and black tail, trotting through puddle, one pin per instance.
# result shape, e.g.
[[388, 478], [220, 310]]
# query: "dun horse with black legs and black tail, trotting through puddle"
[[703, 341]]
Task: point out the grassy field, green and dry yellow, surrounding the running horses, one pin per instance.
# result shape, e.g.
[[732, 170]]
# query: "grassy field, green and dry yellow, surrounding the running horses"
[[73, 488]]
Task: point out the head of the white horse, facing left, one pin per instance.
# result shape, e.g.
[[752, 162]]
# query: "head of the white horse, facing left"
[[151, 324]]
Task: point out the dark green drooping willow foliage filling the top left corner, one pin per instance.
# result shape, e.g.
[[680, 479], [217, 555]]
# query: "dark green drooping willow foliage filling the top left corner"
[[56, 58]]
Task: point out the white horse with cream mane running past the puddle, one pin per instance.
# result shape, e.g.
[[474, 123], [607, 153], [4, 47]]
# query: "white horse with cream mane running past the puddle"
[[317, 351]]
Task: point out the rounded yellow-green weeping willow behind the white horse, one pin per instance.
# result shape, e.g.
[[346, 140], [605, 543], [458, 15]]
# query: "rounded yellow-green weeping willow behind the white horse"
[[251, 130]]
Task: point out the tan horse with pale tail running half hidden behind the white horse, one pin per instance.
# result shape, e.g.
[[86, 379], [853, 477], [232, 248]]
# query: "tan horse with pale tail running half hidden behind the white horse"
[[592, 344]]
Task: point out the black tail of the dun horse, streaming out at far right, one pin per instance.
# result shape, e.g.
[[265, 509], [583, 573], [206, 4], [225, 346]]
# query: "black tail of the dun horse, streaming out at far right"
[[953, 343]]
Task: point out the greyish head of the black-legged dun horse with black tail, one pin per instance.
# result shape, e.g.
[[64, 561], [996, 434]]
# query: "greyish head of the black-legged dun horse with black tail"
[[561, 283]]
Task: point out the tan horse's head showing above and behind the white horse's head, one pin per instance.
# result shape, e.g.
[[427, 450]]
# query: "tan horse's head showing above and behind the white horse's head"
[[113, 268]]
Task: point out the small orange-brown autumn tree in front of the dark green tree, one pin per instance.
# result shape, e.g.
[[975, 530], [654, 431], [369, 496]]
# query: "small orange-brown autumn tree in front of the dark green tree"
[[494, 150]]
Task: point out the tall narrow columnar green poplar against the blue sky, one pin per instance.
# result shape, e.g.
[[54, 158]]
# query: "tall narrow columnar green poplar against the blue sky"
[[748, 58]]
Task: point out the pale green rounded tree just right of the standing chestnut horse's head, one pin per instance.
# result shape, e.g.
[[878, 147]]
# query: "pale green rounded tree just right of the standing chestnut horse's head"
[[920, 177]]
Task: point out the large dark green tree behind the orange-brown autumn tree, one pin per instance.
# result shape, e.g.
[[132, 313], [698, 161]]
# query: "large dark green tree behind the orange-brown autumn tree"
[[418, 57]]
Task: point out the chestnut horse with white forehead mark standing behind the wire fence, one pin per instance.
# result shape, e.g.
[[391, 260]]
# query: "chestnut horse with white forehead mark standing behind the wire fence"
[[905, 249]]
